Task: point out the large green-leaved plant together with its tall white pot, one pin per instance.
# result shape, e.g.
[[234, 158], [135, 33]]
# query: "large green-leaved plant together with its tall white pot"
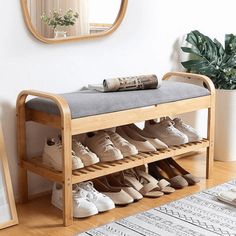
[[209, 57]]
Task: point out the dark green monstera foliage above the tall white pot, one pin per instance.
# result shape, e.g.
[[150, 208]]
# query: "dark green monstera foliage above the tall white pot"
[[212, 59]]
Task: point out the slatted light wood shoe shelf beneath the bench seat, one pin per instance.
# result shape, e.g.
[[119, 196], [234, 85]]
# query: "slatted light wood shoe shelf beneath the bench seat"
[[94, 171]]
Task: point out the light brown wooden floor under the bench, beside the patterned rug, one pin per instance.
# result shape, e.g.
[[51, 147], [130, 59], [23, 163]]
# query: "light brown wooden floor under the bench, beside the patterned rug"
[[39, 217]]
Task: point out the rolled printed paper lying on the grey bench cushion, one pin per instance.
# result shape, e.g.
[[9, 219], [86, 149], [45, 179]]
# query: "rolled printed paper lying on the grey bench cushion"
[[131, 83]]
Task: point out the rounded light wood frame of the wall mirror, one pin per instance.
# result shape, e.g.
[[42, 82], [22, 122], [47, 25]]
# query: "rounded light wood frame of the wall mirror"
[[31, 28]]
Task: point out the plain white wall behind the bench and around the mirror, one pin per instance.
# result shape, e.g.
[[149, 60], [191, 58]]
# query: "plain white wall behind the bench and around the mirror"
[[146, 42]]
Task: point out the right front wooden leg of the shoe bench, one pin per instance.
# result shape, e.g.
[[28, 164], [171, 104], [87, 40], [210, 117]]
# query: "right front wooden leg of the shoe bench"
[[210, 136]]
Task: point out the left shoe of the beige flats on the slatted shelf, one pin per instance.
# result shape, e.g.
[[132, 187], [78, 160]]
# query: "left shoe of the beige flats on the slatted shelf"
[[140, 143]]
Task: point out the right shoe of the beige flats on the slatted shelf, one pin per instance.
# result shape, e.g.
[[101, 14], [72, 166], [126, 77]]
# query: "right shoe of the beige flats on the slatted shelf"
[[158, 144]]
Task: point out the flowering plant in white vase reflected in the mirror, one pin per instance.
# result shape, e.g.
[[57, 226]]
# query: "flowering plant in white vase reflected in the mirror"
[[59, 21]]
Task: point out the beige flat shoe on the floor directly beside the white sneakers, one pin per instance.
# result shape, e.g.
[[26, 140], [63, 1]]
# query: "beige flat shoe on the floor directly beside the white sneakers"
[[118, 195]]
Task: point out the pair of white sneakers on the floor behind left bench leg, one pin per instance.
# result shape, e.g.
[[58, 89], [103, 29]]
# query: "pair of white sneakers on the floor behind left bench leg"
[[87, 201]]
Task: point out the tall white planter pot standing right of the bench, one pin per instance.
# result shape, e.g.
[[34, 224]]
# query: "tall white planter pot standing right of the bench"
[[225, 129]]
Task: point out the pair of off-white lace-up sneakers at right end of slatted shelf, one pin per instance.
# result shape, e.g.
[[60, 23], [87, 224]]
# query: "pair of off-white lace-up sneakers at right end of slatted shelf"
[[172, 132]]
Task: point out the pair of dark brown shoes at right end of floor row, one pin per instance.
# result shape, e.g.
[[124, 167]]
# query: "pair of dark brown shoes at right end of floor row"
[[175, 174]]
